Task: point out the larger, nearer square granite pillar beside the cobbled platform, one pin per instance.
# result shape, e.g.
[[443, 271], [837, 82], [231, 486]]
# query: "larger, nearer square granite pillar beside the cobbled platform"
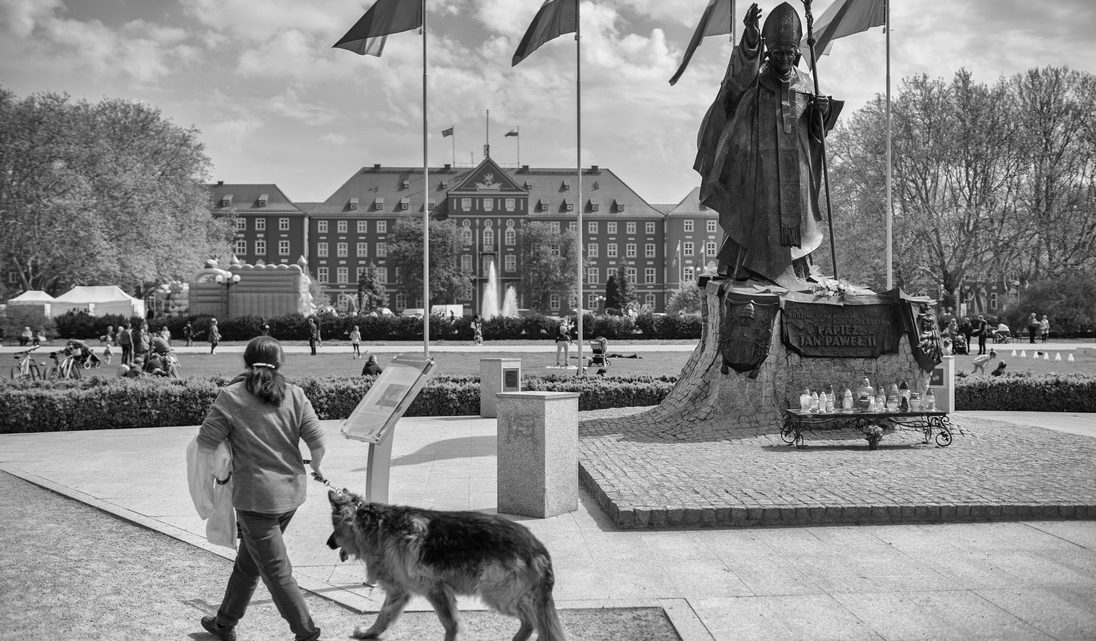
[[539, 453]]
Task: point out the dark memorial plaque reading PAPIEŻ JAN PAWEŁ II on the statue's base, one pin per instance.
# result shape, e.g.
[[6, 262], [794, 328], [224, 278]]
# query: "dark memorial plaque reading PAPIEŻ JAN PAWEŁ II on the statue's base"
[[841, 331]]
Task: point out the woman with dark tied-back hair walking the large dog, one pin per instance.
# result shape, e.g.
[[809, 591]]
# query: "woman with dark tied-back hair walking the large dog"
[[265, 419]]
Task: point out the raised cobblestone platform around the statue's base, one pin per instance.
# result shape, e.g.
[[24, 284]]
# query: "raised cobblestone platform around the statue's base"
[[992, 472]]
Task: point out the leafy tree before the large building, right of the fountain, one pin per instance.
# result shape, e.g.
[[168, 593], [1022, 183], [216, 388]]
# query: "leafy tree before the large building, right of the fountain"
[[550, 266]]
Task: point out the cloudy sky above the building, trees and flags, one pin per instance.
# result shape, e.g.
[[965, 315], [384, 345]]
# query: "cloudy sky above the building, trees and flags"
[[276, 104]]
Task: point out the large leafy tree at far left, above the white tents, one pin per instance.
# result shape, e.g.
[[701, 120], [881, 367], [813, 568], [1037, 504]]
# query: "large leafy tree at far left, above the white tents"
[[110, 192]]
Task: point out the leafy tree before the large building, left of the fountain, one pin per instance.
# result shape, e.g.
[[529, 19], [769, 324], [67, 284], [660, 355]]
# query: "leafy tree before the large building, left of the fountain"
[[448, 282]]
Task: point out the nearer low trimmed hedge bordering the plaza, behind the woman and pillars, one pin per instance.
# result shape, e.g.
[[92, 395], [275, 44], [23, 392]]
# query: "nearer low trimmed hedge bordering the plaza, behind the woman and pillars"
[[109, 404]]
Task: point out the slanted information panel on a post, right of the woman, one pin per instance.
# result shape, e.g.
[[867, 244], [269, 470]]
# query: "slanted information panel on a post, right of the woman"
[[389, 398]]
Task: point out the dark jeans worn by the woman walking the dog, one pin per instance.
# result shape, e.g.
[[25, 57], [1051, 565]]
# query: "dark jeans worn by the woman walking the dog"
[[262, 555]]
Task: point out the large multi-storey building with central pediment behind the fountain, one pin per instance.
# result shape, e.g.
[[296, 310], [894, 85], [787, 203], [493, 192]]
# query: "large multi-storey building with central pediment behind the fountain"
[[661, 248]]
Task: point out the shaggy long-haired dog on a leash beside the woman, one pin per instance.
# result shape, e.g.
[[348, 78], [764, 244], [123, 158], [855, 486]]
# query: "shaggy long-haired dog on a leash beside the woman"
[[440, 555]]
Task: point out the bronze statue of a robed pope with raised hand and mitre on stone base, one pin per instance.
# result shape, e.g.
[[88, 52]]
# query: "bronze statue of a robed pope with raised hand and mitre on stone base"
[[760, 155]]
